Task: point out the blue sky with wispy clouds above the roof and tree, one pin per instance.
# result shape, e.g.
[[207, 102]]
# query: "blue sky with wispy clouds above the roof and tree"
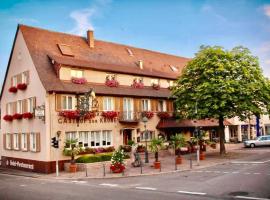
[[176, 26]]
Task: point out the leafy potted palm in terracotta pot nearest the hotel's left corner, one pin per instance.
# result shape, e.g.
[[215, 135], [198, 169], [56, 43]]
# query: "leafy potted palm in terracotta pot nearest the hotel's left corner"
[[72, 149]]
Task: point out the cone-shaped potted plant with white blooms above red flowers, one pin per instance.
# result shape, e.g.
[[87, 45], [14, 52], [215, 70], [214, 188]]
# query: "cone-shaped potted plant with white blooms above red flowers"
[[117, 165]]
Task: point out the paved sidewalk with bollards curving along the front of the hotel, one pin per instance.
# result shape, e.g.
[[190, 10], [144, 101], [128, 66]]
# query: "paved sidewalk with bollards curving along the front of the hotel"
[[235, 152]]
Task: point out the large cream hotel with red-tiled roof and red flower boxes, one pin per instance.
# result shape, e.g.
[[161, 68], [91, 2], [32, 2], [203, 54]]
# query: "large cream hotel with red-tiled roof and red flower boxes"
[[48, 73]]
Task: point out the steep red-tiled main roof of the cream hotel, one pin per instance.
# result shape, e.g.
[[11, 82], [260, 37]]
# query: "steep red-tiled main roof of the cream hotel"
[[105, 56]]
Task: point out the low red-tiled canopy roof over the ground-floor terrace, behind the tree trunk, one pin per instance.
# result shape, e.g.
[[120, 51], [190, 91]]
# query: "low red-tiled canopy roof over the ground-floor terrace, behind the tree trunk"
[[174, 123]]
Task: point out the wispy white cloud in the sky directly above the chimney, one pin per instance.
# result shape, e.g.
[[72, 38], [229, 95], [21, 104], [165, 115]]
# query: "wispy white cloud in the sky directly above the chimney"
[[84, 17]]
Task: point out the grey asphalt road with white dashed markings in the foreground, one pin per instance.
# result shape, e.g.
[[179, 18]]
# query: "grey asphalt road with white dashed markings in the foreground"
[[248, 179]]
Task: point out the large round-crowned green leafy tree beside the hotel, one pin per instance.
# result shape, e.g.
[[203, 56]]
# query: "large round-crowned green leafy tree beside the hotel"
[[222, 84]]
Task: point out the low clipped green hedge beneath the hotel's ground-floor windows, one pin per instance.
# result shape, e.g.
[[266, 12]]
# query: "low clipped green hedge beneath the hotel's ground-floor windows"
[[96, 158]]
